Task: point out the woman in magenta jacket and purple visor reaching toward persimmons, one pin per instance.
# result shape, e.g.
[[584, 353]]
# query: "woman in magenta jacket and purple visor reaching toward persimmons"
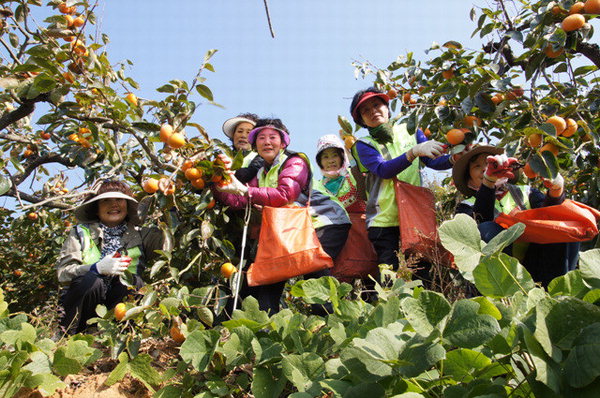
[[285, 179]]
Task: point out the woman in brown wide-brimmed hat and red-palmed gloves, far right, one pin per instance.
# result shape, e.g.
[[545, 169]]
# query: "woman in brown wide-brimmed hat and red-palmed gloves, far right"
[[485, 175]]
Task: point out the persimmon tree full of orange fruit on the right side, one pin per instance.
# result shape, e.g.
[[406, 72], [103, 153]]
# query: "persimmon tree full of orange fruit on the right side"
[[532, 88]]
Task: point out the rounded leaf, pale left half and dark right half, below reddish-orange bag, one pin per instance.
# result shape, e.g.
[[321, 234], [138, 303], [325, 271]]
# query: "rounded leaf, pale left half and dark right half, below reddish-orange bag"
[[426, 312]]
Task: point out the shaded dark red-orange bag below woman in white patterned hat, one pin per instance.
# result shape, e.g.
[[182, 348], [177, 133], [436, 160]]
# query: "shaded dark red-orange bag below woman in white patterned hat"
[[358, 257]]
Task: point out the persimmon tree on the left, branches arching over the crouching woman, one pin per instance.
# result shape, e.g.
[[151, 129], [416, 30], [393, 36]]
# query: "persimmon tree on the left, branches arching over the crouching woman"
[[70, 118]]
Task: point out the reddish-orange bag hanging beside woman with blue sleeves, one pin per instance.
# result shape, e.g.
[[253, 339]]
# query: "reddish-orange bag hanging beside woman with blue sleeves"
[[418, 226]]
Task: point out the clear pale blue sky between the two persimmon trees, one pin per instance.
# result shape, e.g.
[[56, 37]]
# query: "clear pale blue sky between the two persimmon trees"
[[303, 76]]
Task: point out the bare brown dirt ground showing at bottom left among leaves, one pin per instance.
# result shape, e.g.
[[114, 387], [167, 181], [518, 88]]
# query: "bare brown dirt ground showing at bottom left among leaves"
[[90, 383]]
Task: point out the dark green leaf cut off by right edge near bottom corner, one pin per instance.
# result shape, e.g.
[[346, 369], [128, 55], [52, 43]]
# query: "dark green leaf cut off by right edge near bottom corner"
[[583, 363]]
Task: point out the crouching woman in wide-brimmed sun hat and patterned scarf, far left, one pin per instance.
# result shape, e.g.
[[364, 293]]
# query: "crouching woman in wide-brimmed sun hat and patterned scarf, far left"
[[107, 241]]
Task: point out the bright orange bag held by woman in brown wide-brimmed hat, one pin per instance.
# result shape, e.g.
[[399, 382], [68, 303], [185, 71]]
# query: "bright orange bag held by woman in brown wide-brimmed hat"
[[570, 221]]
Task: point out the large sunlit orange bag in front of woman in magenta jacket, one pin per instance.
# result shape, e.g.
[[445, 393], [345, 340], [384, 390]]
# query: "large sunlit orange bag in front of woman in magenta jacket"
[[287, 247]]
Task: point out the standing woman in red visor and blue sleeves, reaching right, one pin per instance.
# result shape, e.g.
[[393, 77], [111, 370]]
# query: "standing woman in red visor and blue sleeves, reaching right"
[[389, 151]]
